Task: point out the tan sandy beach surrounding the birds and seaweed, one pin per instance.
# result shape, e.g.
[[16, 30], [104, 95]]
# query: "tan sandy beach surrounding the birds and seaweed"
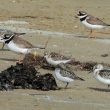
[[56, 19]]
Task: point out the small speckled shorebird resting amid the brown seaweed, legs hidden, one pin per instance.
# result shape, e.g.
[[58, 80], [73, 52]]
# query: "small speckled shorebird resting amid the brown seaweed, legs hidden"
[[55, 59]]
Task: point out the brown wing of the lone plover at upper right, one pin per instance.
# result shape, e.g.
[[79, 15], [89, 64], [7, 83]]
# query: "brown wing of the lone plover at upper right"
[[95, 21]]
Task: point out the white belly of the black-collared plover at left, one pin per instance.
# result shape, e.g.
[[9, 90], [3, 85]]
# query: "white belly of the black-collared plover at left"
[[13, 47]]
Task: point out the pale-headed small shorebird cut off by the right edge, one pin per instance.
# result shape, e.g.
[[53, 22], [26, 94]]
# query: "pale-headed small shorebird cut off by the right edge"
[[102, 74]]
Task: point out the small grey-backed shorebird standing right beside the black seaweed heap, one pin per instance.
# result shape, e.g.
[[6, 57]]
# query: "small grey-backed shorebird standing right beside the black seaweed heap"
[[65, 74]]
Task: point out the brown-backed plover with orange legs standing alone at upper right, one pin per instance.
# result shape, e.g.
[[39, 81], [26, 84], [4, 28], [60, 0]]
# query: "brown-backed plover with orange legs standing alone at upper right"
[[91, 22]]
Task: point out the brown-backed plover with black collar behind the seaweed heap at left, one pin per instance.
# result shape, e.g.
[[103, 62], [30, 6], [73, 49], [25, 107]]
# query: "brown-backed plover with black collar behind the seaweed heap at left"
[[17, 44]]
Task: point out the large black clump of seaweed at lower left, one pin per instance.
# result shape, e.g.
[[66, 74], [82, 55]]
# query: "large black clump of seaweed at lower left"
[[26, 77]]
